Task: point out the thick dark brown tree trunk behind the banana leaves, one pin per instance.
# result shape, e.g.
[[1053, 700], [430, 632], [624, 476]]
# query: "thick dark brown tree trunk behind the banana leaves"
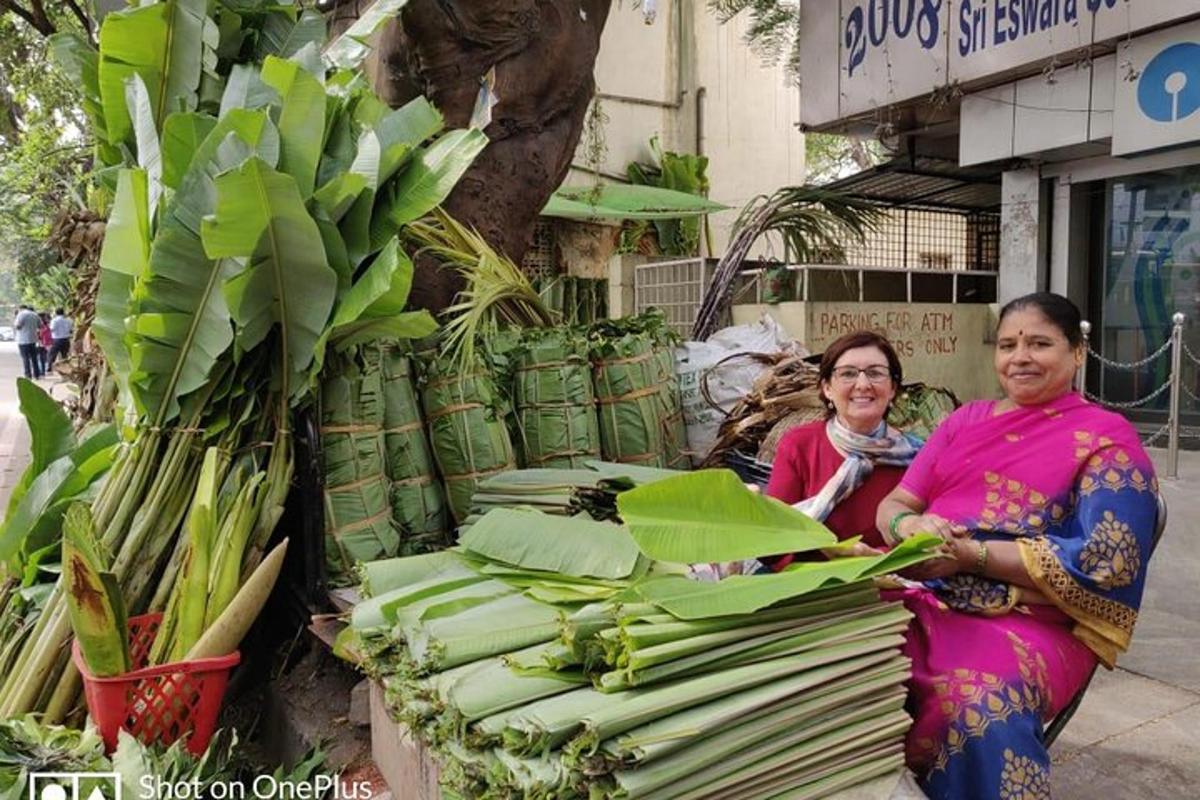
[[544, 53]]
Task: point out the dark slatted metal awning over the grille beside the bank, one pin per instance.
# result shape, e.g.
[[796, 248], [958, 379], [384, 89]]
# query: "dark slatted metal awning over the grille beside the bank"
[[925, 183]]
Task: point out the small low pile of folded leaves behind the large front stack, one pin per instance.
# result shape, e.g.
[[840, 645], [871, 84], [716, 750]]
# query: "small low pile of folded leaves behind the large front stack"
[[565, 492]]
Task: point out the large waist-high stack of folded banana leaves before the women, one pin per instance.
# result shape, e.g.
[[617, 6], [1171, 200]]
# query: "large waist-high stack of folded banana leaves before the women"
[[561, 658]]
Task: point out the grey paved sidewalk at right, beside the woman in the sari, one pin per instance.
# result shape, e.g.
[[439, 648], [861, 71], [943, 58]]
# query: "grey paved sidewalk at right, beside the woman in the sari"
[[1136, 735]]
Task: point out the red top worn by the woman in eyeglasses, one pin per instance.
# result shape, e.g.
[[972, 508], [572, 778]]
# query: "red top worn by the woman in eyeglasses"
[[807, 460]]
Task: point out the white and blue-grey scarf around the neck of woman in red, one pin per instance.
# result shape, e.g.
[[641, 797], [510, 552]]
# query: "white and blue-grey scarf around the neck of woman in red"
[[885, 447]]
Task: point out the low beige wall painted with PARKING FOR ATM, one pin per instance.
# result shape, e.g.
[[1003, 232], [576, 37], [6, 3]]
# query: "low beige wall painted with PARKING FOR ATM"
[[943, 345]]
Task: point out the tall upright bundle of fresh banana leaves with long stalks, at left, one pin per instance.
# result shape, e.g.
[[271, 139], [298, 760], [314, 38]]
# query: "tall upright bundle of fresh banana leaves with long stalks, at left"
[[261, 188]]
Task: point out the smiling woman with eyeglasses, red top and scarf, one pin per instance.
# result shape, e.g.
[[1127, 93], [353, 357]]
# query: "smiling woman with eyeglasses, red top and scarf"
[[839, 470]]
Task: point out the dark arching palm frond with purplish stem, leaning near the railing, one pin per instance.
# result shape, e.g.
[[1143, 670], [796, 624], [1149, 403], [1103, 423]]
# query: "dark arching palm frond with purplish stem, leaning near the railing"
[[815, 225]]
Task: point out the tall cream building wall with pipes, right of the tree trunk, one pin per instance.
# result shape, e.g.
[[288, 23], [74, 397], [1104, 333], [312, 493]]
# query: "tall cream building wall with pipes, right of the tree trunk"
[[651, 80]]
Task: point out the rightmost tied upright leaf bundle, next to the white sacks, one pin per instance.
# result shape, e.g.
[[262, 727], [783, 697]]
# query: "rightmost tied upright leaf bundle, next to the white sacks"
[[638, 393]]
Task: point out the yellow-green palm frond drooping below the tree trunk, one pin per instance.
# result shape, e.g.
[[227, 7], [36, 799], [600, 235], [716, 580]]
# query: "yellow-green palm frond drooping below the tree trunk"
[[499, 296]]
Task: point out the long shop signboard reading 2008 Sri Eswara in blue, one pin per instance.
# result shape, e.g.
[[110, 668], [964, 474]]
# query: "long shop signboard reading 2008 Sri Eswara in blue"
[[878, 53]]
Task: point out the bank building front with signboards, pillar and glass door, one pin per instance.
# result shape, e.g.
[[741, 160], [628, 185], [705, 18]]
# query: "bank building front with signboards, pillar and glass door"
[[1089, 113]]
